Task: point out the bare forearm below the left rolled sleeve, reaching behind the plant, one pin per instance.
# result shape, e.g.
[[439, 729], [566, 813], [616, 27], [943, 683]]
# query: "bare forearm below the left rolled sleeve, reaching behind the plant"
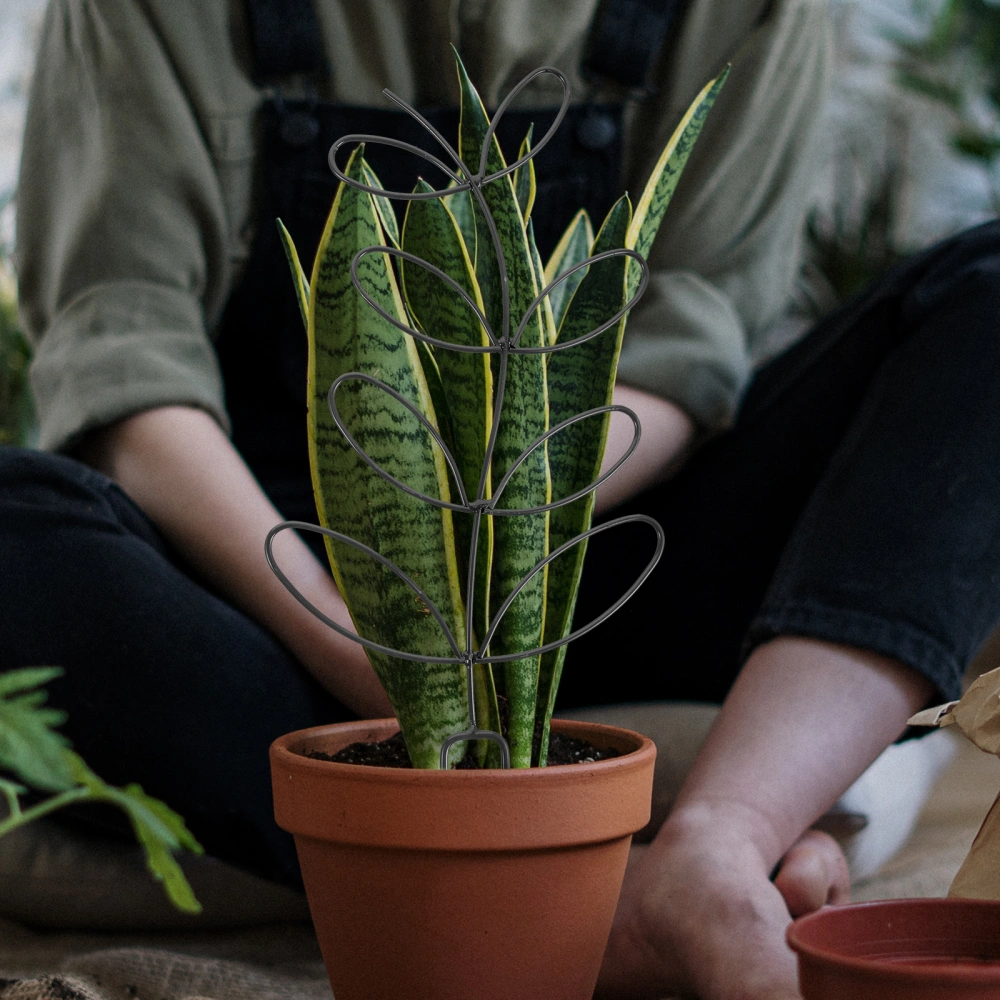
[[181, 469]]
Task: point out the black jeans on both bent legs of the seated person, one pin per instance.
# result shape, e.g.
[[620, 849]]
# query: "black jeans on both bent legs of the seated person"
[[856, 500]]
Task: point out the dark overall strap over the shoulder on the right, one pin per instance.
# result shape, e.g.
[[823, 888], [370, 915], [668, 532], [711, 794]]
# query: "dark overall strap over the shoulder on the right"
[[626, 39]]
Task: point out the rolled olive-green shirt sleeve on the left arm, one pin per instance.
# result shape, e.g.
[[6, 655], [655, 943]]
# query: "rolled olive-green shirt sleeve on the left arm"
[[122, 230]]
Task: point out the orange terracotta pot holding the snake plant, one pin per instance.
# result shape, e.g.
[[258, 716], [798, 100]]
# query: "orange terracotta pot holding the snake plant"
[[461, 885]]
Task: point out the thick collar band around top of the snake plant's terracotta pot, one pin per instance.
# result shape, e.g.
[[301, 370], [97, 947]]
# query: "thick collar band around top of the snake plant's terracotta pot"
[[494, 809]]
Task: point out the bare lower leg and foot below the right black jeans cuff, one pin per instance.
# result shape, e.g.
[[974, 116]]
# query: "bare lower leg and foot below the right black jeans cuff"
[[698, 911]]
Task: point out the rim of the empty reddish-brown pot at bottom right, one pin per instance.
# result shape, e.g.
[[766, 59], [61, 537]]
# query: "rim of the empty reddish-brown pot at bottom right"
[[895, 971]]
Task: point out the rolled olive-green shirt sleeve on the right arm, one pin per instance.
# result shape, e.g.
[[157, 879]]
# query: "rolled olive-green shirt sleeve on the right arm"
[[725, 261]]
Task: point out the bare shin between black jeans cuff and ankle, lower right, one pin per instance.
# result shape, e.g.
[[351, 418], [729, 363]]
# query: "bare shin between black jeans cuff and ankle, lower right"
[[803, 720]]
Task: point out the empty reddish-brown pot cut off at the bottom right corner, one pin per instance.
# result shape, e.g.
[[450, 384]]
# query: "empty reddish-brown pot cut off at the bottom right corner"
[[917, 949]]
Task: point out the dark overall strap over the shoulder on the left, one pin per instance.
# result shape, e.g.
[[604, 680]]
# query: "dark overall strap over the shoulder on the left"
[[285, 39]]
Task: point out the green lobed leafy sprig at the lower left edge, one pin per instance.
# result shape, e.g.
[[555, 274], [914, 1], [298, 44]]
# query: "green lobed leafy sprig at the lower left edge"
[[32, 752]]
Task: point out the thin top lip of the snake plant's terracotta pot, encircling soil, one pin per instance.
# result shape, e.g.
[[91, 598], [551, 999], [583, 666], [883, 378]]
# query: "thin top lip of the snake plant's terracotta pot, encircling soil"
[[282, 751]]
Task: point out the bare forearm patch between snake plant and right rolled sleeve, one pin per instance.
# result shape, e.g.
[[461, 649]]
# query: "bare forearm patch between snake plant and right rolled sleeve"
[[666, 434]]
